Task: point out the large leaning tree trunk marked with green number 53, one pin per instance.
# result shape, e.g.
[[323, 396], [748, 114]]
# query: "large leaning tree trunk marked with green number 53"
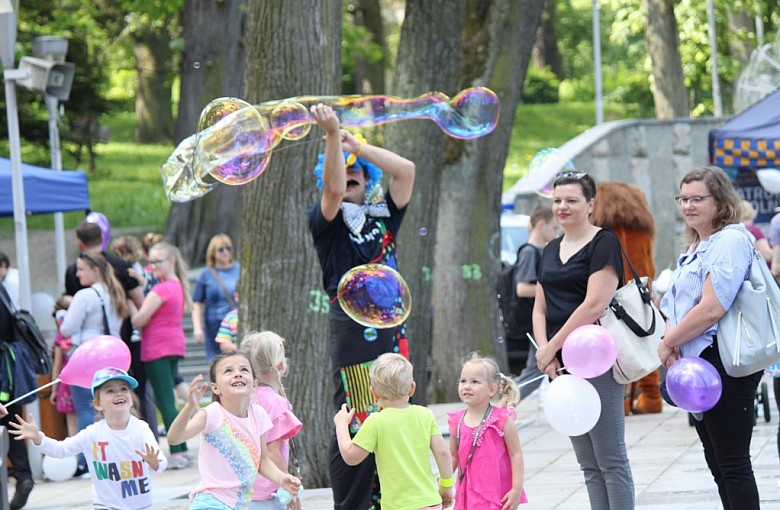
[[496, 51]]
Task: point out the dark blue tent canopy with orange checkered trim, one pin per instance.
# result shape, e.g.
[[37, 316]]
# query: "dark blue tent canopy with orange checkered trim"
[[750, 139]]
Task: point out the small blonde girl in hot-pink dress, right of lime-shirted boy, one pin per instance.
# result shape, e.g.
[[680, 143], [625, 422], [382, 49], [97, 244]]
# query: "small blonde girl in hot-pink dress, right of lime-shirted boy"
[[484, 442]]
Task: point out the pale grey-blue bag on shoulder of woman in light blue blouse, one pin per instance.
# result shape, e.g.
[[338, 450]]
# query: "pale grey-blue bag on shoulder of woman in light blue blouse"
[[748, 333]]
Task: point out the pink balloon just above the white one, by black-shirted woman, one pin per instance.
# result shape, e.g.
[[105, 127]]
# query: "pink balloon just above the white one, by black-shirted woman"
[[589, 351]]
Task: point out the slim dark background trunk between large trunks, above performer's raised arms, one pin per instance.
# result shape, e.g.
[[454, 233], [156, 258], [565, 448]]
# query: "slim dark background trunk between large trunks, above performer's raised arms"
[[370, 76]]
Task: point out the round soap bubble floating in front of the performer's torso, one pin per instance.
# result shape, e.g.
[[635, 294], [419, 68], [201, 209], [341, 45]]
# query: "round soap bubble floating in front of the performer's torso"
[[375, 296]]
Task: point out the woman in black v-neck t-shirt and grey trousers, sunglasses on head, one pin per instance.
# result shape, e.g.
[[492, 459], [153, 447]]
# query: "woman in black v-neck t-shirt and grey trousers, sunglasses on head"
[[580, 272]]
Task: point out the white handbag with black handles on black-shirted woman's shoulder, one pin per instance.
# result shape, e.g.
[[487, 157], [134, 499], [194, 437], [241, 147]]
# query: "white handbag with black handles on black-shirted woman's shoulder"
[[637, 326]]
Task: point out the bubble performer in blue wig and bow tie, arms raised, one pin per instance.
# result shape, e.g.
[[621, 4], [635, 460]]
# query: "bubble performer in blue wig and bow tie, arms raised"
[[354, 223]]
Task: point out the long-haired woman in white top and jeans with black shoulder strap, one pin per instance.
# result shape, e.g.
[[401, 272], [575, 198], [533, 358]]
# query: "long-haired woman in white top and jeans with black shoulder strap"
[[100, 305]]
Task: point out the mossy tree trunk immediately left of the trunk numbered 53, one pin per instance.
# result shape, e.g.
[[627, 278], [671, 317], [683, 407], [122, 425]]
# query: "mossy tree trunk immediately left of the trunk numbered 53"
[[427, 57]]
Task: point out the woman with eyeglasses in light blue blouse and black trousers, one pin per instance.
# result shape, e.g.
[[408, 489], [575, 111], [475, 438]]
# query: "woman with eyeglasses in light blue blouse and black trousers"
[[704, 285]]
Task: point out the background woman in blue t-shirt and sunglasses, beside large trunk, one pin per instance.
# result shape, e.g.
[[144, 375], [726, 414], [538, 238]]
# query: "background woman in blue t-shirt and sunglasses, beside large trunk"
[[212, 297]]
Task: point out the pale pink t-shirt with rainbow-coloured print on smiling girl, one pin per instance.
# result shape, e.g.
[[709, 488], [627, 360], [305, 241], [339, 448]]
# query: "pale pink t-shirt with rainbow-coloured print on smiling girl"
[[229, 456]]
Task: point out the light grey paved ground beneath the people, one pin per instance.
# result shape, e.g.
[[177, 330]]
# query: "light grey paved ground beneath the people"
[[666, 458]]
